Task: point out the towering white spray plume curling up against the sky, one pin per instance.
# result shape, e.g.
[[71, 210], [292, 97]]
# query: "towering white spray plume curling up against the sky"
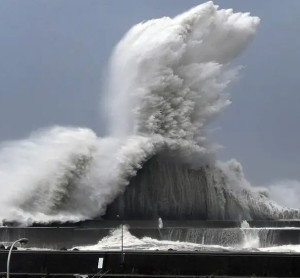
[[168, 76]]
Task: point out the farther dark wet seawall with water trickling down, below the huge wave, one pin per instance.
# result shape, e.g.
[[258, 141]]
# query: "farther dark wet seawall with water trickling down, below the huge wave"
[[226, 233]]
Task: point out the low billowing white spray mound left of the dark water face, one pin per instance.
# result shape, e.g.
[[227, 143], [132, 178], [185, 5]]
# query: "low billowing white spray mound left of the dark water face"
[[66, 174]]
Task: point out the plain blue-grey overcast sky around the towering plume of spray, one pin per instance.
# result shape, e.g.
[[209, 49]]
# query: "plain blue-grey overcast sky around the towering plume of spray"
[[53, 54]]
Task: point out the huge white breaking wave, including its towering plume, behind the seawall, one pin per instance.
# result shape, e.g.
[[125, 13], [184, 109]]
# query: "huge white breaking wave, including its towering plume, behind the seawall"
[[166, 84]]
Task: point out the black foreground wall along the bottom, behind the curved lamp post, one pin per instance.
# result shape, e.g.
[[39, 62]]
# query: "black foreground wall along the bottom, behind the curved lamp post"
[[163, 263]]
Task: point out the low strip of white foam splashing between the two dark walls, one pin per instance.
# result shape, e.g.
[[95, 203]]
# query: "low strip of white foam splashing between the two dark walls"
[[118, 239]]
